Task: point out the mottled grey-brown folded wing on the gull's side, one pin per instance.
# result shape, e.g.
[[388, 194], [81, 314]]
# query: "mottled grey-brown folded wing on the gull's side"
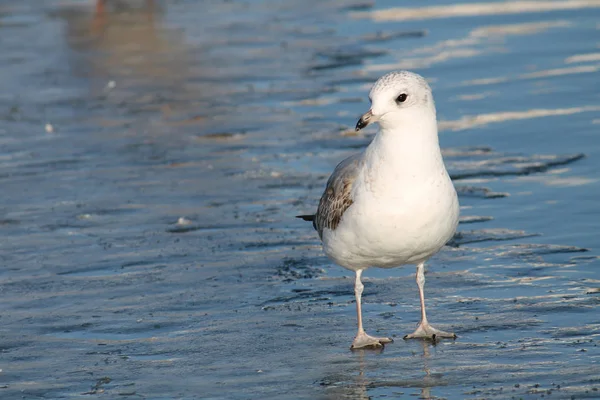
[[336, 199]]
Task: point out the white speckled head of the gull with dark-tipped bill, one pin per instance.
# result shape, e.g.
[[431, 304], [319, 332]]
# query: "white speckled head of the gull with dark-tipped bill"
[[394, 95]]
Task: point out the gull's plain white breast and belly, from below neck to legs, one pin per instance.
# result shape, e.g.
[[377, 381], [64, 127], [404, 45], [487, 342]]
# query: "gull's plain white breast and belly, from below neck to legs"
[[404, 211]]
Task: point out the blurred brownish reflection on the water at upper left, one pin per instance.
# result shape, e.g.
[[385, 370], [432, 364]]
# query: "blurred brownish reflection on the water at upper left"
[[125, 43]]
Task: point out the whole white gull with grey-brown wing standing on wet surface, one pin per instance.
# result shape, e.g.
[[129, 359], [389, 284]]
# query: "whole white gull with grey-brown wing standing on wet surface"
[[394, 203]]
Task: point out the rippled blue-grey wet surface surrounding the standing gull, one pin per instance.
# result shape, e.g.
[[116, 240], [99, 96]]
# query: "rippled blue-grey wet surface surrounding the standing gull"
[[153, 155]]
